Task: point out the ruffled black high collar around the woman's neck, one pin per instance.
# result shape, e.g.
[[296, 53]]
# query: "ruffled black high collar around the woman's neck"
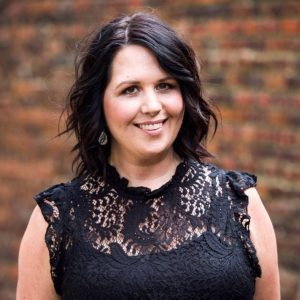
[[114, 178]]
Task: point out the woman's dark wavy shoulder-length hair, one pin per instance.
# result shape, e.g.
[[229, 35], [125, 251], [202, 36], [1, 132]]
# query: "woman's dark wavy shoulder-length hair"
[[85, 116]]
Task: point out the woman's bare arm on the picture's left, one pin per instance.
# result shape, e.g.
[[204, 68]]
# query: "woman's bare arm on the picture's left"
[[34, 278]]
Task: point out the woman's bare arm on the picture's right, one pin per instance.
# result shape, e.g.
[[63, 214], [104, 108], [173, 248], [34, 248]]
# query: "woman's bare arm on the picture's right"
[[263, 236]]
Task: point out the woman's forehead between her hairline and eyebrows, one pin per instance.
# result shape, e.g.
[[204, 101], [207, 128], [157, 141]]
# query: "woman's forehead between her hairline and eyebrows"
[[135, 62]]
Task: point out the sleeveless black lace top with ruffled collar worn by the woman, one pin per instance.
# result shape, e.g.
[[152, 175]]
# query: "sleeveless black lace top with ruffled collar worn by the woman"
[[188, 239]]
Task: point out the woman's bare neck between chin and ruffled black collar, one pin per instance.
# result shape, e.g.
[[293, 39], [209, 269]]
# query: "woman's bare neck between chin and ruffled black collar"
[[151, 173]]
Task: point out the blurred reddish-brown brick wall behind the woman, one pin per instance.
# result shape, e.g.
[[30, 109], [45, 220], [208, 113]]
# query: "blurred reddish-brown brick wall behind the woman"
[[250, 54]]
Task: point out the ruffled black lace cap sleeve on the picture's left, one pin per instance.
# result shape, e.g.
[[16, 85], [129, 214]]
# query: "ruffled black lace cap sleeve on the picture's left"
[[52, 204]]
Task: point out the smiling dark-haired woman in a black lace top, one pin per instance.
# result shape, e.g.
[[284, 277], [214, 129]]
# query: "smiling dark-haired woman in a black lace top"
[[145, 217]]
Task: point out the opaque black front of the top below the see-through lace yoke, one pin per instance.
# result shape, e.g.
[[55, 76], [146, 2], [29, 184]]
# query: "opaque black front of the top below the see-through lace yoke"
[[203, 268]]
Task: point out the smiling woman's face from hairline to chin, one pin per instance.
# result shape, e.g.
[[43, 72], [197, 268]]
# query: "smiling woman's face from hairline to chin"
[[143, 105]]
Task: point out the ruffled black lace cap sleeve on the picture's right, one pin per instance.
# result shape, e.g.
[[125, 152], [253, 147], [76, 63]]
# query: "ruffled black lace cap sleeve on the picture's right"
[[237, 183]]
